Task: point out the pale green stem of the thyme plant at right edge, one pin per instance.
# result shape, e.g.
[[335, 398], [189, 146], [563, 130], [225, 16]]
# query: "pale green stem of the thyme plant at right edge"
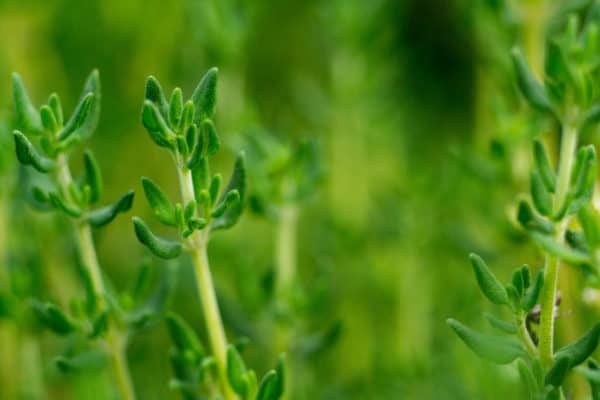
[[568, 148]]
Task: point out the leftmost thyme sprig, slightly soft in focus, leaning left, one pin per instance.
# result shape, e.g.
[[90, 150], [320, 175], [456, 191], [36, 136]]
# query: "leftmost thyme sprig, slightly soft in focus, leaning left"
[[103, 320]]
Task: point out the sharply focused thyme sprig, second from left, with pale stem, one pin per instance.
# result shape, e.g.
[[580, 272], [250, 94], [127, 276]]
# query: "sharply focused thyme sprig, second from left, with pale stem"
[[187, 131]]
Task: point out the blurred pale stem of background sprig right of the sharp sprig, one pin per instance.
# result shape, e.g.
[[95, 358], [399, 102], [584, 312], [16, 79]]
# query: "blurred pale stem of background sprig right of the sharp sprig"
[[286, 248]]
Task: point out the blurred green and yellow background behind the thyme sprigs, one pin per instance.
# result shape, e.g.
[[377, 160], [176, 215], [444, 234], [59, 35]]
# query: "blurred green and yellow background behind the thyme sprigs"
[[424, 144]]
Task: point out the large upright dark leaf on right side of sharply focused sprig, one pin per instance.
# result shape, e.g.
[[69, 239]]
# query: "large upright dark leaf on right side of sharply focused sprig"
[[234, 207]]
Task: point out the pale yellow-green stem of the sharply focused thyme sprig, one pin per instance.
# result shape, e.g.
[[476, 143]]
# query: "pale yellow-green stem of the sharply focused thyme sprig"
[[197, 243]]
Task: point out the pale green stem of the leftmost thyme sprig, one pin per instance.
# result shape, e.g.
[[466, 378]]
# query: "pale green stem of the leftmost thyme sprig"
[[89, 259]]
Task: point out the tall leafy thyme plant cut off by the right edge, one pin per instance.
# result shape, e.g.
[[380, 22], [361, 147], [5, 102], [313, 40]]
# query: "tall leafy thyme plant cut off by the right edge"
[[559, 217]]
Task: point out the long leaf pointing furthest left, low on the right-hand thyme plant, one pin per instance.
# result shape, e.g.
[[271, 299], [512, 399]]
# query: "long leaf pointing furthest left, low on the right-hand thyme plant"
[[499, 349]]
